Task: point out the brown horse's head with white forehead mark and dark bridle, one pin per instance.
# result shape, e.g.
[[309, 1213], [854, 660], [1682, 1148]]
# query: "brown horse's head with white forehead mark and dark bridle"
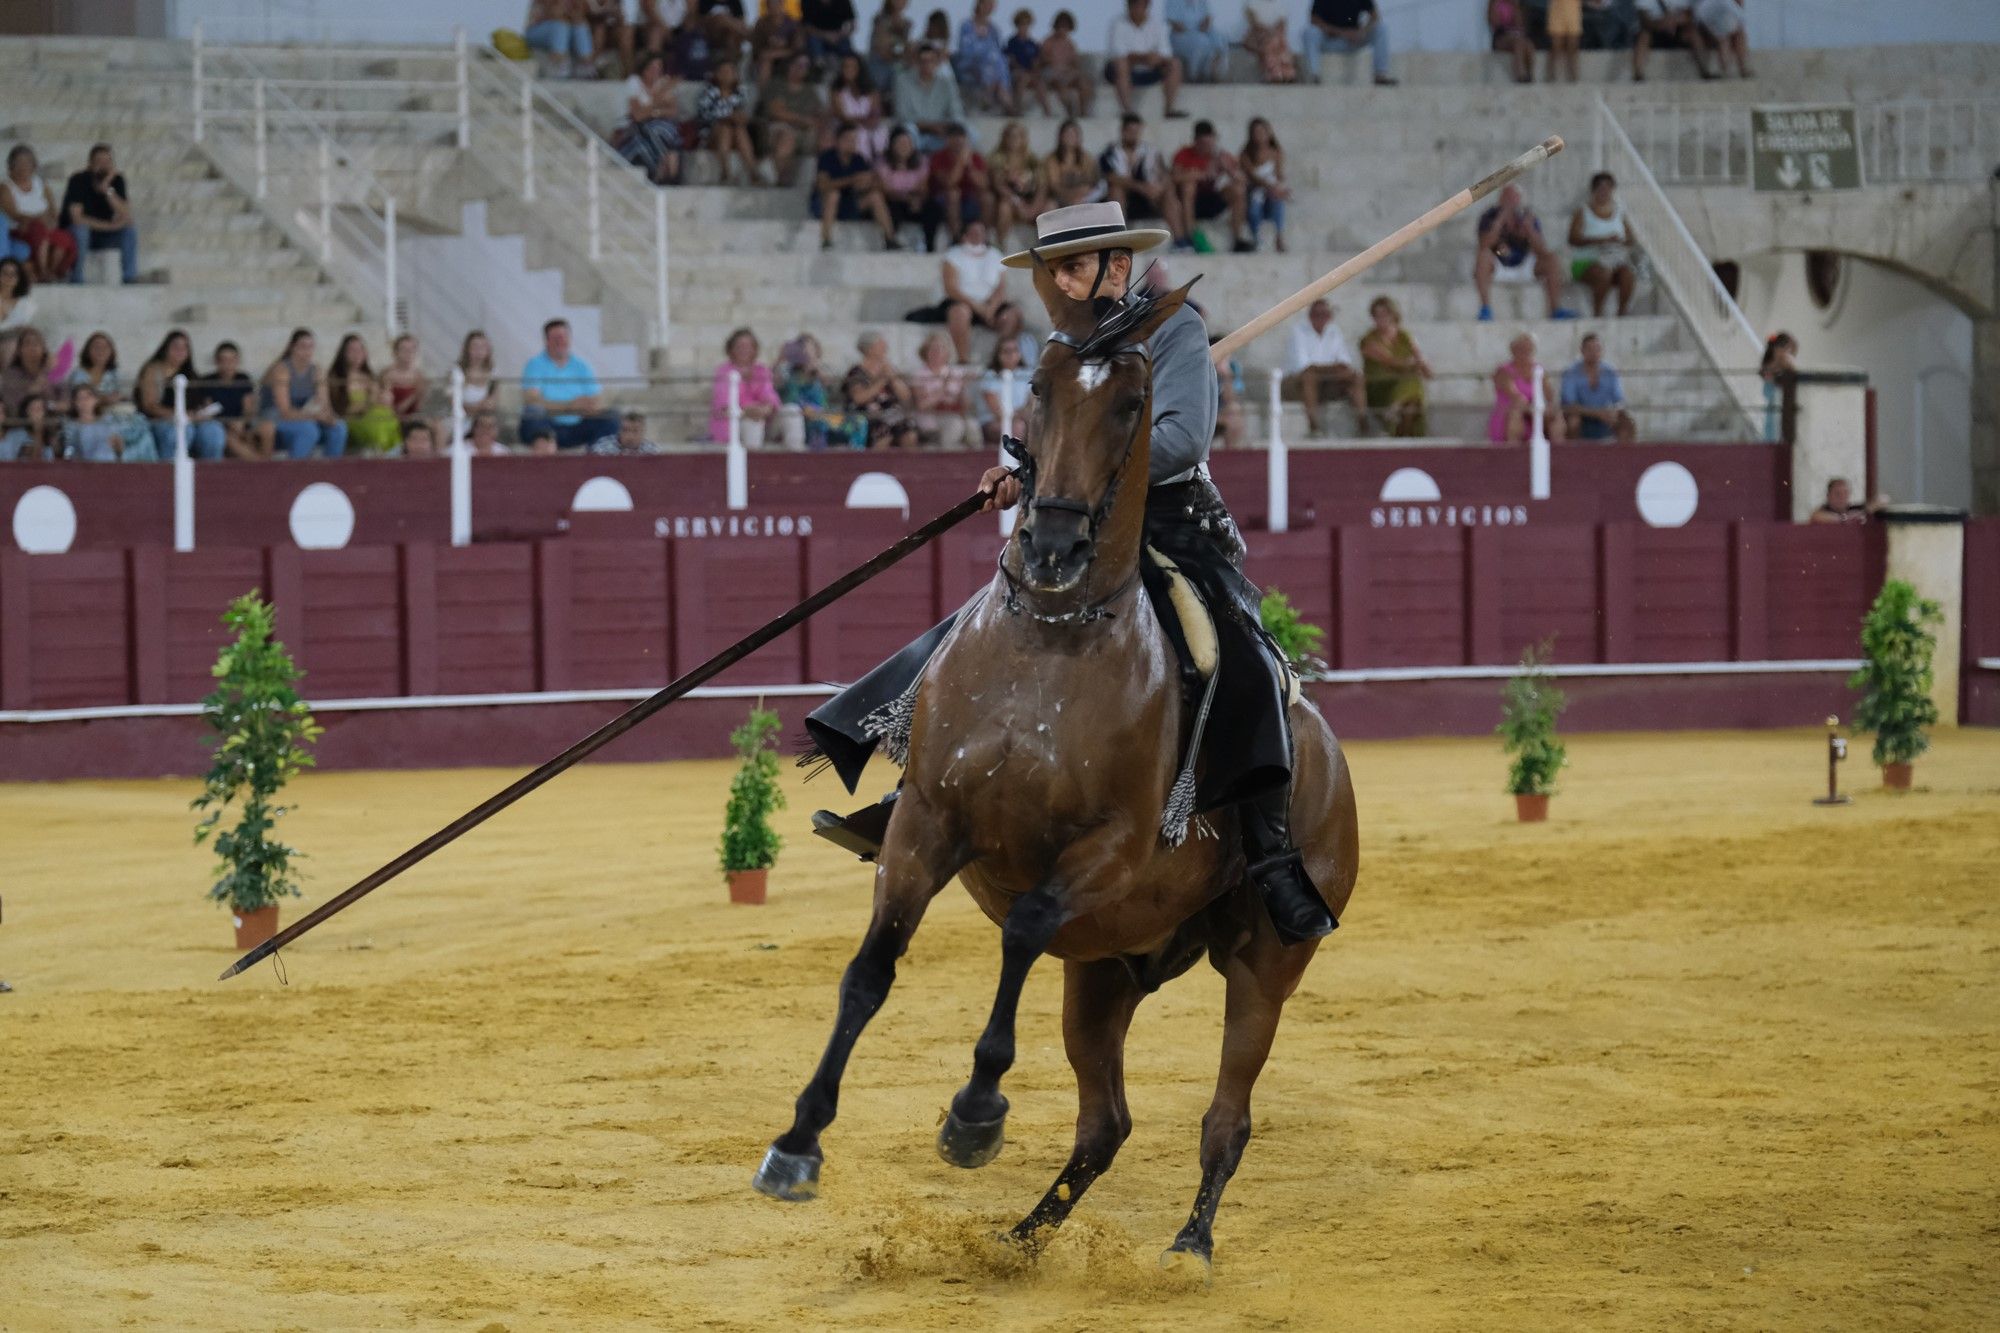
[[1093, 417]]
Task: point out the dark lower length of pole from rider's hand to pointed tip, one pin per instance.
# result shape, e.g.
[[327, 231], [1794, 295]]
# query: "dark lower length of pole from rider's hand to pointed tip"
[[617, 728]]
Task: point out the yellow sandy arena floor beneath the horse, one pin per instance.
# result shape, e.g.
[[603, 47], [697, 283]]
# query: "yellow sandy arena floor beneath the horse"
[[1693, 1056]]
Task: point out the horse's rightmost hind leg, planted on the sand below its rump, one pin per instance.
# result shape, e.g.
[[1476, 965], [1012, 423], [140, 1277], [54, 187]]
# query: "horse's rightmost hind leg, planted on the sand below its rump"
[[1261, 978]]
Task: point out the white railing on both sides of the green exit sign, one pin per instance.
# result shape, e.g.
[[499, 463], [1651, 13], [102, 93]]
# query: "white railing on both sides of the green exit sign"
[[1921, 141]]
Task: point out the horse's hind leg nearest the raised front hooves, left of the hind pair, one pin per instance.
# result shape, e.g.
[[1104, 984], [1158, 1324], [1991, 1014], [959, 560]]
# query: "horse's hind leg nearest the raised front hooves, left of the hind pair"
[[1097, 1012]]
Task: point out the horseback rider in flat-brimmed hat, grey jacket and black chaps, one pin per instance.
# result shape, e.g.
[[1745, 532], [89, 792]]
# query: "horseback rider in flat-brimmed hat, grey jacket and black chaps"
[[1089, 251]]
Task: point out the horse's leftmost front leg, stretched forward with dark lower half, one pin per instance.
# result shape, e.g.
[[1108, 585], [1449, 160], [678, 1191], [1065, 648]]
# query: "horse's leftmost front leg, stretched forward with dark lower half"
[[917, 862]]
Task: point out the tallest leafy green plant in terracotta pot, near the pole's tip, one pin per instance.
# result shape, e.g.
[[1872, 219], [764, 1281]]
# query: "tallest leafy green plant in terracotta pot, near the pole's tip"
[[263, 730]]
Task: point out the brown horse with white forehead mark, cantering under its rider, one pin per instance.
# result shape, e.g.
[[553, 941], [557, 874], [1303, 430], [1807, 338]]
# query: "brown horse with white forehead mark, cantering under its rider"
[[1045, 740]]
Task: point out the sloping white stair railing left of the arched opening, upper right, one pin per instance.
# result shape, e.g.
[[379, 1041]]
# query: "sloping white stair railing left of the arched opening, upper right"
[[1683, 271]]
